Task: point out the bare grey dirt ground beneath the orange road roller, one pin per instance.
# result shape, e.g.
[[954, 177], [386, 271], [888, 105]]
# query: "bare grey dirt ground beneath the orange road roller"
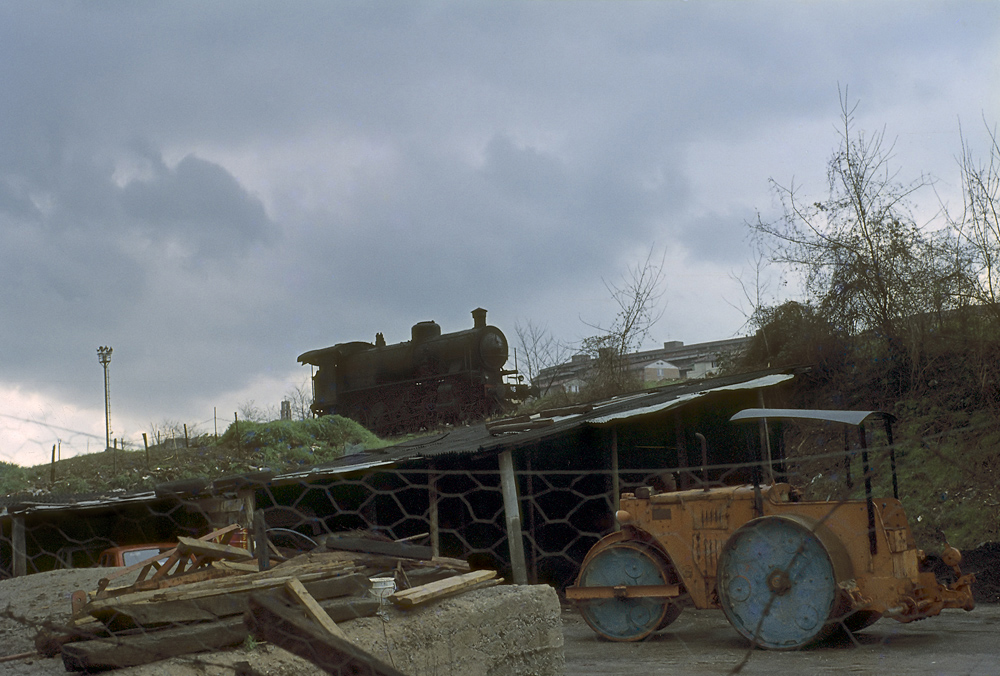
[[701, 643]]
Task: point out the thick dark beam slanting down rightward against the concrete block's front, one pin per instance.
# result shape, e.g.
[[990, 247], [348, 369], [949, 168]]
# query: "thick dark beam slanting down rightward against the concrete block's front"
[[273, 619]]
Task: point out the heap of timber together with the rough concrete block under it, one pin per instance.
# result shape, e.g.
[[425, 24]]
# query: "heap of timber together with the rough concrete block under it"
[[344, 610]]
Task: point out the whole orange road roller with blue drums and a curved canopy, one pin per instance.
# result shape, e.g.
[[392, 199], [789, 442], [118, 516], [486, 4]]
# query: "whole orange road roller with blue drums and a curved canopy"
[[786, 572]]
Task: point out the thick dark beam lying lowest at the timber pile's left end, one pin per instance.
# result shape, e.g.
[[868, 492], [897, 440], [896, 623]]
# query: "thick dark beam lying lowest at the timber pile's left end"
[[143, 648]]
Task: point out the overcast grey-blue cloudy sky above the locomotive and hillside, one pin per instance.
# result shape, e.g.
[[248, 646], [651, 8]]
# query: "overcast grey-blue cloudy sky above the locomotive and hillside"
[[214, 188]]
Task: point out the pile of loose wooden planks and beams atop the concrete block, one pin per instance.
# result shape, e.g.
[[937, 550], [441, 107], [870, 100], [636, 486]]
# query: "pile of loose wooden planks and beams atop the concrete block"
[[222, 597]]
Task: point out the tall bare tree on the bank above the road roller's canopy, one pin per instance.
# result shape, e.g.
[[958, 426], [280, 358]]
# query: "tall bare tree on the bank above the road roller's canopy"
[[867, 265]]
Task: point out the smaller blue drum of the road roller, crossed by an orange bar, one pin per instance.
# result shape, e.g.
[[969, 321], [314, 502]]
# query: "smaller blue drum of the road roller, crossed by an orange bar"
[[621, 619]]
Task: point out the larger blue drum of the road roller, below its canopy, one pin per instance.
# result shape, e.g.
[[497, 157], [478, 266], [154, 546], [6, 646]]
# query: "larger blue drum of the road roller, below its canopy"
[[778, 582]]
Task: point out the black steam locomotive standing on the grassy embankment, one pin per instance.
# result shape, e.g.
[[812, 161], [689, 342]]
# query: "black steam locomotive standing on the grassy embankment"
[[431, 379]]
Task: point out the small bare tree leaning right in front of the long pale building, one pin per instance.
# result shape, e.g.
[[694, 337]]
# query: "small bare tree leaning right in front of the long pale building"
[[638, 297]]
